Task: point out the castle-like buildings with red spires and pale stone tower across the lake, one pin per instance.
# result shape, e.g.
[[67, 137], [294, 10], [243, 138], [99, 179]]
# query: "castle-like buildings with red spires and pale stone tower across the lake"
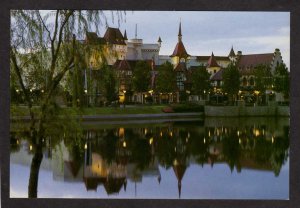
[[121, 54]]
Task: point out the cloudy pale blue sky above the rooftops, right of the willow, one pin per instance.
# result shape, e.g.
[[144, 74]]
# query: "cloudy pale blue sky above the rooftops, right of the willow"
[[204, 32]]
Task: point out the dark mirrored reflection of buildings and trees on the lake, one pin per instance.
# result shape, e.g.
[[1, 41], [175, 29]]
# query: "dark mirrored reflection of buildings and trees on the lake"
[[116, 156]]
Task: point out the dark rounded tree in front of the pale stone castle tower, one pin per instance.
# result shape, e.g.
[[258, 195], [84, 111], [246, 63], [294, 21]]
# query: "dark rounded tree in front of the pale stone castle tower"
[[141, 76]]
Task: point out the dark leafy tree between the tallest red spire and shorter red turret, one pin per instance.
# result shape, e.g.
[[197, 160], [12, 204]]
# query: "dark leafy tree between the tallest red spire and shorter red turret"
[[200, 80]]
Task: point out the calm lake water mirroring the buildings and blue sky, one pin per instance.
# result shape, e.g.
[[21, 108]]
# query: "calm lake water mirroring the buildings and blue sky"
[[218, 158]]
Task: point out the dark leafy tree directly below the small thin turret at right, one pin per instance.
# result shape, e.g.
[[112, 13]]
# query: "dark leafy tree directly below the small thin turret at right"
[[231, 77]]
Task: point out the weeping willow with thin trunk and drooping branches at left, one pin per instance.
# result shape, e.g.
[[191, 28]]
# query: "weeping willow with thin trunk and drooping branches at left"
[[44, 49]]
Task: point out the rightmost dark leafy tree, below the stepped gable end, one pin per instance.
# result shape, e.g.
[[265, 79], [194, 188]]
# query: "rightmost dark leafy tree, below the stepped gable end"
[[282, 79]]
